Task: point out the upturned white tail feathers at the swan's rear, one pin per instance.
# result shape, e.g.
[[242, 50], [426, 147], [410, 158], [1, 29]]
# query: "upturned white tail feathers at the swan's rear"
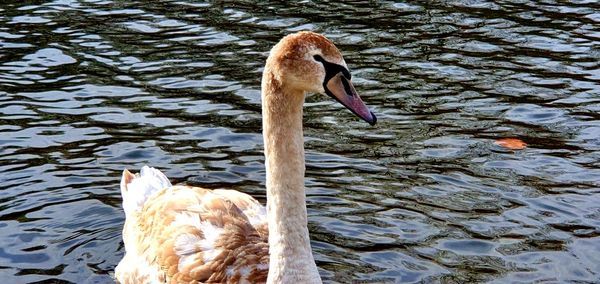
[[135, 189]]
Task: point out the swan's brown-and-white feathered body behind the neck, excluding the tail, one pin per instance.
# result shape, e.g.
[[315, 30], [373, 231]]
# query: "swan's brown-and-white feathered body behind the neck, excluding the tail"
[[187, 234]]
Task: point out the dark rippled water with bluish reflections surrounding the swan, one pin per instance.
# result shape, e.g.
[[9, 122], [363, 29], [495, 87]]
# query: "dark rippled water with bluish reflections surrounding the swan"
[[88, 88]]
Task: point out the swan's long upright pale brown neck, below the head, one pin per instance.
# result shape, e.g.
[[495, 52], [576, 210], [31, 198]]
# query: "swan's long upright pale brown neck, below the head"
[[291, 259]]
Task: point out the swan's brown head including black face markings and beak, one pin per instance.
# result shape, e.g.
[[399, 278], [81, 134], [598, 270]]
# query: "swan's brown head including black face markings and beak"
[[310, 62]]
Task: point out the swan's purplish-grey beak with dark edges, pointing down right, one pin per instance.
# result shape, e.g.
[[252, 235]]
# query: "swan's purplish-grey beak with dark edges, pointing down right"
[[342, 90]]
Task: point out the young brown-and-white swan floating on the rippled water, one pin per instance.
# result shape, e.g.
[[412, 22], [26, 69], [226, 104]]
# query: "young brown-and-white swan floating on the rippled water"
[[184, 234]]
